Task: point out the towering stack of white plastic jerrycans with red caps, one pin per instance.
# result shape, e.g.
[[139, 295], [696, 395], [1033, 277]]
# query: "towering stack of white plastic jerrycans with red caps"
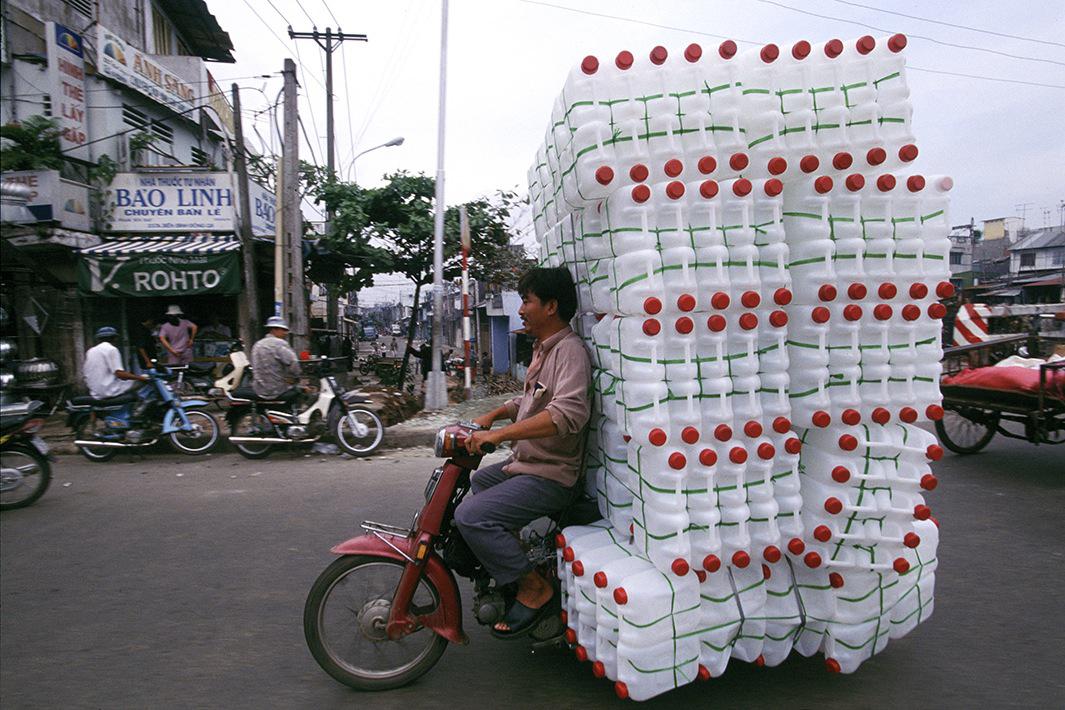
[[760, 272]]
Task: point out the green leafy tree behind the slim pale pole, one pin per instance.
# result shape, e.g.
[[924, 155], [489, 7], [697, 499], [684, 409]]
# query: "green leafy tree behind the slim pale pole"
[[390, 229]]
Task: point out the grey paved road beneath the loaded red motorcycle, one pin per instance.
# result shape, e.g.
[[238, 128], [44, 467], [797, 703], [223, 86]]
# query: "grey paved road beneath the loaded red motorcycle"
[[167, 583]]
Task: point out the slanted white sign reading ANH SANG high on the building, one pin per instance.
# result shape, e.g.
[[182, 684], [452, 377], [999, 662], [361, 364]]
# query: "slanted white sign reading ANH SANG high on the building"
[[128, 65]]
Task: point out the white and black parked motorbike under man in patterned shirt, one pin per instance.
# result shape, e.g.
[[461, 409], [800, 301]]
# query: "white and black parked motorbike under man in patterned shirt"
[[259, 425]]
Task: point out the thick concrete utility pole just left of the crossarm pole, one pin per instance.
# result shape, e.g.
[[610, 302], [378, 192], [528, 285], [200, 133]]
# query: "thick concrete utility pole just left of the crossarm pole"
[[292, 218]]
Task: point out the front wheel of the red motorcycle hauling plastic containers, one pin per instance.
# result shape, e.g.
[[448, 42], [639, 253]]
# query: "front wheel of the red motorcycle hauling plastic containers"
[[346, 619]]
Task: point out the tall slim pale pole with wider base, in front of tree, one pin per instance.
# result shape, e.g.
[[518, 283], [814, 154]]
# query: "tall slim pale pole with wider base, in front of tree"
[[436, 395]]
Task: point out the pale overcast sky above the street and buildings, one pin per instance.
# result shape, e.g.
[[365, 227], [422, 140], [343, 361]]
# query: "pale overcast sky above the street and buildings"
[[1002, 141]]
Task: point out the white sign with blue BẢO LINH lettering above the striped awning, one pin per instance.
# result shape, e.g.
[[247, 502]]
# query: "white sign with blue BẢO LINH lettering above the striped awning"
[[171, 203]]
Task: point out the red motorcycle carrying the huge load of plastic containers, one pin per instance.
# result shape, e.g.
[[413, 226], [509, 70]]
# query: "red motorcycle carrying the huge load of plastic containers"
[[384, 614]]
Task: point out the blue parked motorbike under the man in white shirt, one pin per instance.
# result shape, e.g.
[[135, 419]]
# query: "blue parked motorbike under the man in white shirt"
[[139, 419]]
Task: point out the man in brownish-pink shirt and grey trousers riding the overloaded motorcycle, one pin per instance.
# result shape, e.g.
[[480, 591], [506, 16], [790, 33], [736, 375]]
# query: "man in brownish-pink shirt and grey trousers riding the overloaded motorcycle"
[[548, 431]]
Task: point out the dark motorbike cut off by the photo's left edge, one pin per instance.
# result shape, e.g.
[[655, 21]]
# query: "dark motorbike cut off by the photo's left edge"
[[25, 468]]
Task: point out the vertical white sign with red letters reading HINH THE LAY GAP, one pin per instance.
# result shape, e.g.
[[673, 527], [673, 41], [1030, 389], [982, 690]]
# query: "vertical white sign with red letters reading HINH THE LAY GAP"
[[67, 74]]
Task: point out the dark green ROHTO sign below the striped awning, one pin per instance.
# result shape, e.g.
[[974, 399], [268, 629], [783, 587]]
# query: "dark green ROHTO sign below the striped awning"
[[159, 274]]
